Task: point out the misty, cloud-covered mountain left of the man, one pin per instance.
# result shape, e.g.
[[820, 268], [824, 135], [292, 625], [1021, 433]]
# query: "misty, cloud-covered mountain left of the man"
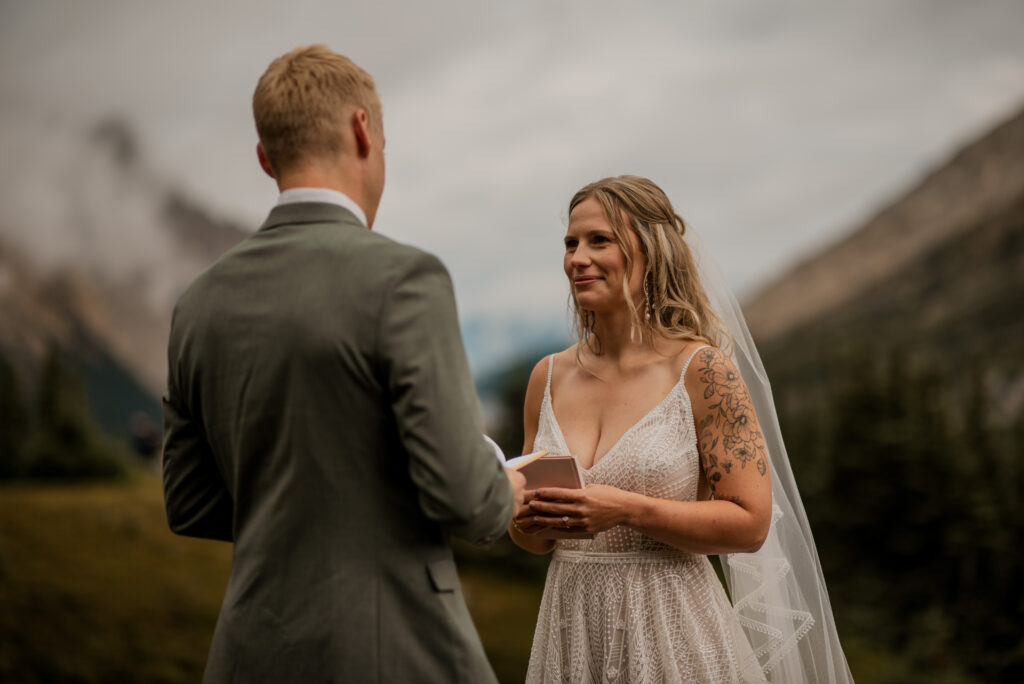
[[95, 249]]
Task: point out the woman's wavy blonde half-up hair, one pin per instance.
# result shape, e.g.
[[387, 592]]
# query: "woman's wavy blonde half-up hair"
[[675, 305]]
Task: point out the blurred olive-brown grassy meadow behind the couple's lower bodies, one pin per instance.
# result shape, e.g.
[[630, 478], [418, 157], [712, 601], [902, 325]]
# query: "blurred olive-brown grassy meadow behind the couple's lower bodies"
[[94, 588]]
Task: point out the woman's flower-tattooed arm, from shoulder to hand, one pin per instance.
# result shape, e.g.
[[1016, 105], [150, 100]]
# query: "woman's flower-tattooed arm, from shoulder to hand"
[[735, 460]]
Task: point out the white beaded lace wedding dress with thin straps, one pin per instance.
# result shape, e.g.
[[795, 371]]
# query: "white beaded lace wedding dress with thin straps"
[[624, 608]]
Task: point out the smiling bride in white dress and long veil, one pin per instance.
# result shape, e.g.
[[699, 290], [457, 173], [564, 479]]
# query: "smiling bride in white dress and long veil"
[[665, 406]]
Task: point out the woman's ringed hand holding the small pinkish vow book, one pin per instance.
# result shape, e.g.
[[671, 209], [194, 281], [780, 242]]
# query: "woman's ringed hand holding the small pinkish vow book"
[[592, 509]]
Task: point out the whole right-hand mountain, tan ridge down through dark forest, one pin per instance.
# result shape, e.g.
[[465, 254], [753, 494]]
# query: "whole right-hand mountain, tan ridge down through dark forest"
[[898, 369]]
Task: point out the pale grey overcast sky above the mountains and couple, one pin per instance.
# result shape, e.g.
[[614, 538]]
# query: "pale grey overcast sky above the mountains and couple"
[[774, 127]]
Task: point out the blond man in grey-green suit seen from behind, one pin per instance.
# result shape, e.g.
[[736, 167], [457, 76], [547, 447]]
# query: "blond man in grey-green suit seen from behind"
[[320, 414]]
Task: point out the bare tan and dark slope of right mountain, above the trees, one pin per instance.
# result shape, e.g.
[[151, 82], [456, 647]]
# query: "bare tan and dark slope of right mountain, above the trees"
[[938, 275]]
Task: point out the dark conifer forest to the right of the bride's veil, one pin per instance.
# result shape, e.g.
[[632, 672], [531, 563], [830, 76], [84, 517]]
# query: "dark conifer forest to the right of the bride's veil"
[[913, 493]]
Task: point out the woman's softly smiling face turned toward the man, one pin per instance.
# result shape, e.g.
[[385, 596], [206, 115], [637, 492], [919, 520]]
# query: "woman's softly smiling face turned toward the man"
[[595, 264]]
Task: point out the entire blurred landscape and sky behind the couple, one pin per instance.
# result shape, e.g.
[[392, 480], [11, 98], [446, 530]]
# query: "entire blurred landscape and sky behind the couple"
[[857, 169]]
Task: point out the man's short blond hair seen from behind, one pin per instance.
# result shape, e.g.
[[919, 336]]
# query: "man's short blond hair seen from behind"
[[302, 103]]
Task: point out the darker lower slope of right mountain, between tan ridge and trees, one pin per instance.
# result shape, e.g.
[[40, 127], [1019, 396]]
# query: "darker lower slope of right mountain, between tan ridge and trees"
[[958, 307]]
